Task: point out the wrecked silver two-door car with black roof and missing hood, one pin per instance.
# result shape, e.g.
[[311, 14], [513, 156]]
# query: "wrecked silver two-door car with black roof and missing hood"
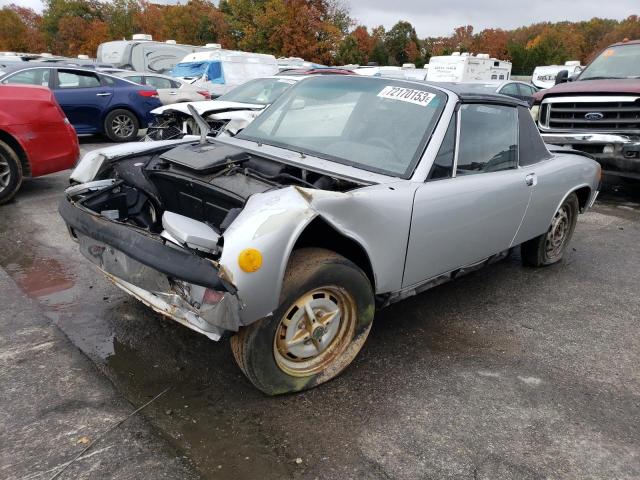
[[344, 196]]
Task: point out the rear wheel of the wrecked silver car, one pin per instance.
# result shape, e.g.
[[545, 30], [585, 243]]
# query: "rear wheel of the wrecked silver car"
[[549, 248]]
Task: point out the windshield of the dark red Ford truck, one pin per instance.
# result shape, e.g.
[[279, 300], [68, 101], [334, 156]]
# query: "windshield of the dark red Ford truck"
[[621, 61]]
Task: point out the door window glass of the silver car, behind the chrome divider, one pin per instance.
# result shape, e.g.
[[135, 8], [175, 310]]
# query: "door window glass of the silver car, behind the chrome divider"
[[488, 139]]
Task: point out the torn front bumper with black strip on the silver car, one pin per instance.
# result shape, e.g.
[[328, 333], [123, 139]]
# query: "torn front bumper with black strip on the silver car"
[[173, 281]]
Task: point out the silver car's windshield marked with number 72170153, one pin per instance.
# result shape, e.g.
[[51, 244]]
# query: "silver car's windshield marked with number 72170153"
[[369, 123]]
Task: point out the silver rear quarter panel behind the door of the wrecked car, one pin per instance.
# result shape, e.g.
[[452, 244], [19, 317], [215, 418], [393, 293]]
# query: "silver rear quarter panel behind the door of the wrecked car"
[[557, 178]]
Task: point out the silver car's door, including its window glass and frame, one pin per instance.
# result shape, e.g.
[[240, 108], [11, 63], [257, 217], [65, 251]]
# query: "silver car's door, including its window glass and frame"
[[475, 198]]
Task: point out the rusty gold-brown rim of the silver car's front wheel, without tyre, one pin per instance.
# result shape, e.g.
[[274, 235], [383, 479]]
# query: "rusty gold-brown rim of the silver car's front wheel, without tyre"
[[315, 330]]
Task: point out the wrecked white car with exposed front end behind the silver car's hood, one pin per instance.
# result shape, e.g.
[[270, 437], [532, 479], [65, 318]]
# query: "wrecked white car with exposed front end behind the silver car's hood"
[[227, 114]]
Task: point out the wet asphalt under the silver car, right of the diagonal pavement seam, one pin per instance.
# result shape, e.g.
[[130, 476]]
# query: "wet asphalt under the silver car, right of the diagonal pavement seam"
[[507, 373]]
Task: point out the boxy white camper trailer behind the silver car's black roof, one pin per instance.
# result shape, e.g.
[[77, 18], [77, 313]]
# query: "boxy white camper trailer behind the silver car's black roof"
[[465, 67]]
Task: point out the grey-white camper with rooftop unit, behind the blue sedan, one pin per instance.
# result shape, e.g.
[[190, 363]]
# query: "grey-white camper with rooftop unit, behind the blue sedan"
[[142, 54]]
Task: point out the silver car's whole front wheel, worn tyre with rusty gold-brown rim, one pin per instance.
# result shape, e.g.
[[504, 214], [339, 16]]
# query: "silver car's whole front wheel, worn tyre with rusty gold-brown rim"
[[325, 314]]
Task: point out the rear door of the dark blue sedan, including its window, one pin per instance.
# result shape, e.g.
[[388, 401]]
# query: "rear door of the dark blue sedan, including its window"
[[83, 97]]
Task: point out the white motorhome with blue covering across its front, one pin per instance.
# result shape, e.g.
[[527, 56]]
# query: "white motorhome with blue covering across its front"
[[220, 70]]
